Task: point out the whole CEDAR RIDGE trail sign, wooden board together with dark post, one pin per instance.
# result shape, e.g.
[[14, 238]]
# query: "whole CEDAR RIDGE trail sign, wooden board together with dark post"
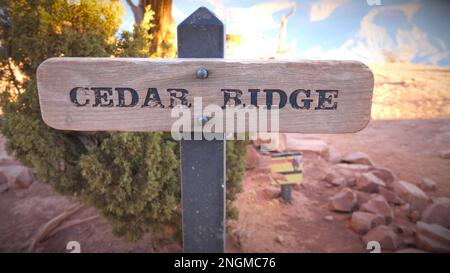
[[140, 94]]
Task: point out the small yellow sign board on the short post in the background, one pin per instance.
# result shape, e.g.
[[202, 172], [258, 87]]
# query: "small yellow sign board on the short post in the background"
[[287, 168]]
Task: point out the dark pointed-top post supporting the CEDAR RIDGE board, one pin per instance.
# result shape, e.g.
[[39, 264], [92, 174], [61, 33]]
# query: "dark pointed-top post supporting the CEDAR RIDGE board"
[[201, 35]]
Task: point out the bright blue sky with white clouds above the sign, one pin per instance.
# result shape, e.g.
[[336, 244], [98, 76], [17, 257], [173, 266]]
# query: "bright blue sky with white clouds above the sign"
[[371, 31]]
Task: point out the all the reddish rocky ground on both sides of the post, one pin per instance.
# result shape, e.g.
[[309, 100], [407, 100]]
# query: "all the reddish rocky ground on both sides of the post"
[[389, 183]]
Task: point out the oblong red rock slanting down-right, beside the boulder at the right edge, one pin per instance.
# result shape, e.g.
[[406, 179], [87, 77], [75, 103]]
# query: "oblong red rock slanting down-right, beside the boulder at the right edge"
[[410, 193]]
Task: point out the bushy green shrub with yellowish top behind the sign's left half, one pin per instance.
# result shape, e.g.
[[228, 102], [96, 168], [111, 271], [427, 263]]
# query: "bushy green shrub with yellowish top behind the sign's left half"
[[132, 178]]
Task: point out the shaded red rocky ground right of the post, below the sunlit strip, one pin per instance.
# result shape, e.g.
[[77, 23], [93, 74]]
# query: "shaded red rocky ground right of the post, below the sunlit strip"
[[349, 199]]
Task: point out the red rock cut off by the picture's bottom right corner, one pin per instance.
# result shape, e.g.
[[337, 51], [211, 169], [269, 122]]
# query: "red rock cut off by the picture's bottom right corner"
[[433, 237]]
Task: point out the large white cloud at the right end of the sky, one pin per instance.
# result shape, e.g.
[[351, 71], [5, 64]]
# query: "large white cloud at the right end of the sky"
[[373, 42]]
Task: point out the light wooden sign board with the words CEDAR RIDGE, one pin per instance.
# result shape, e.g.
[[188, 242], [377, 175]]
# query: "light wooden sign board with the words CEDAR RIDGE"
[[130, 94]]
